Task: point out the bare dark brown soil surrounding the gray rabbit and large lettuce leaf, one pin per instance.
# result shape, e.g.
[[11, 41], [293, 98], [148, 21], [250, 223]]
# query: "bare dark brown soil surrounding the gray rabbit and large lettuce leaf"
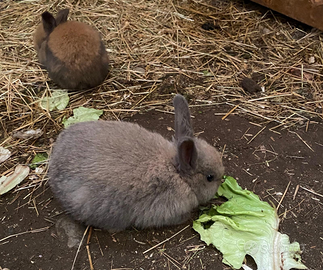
[[266, 166]]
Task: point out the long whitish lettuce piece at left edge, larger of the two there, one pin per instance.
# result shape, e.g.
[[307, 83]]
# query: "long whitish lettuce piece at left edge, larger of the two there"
[[9, 182]]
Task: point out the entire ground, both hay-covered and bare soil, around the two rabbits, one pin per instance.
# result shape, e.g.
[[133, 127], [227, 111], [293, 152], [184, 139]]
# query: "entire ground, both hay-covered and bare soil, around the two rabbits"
[[202, 49]]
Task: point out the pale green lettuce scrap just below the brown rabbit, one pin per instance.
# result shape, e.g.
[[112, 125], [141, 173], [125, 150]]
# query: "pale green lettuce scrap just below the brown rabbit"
[[58, 100]]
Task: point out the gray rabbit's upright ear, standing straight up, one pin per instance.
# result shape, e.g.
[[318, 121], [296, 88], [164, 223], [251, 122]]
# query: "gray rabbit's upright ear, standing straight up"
[[183, 126]]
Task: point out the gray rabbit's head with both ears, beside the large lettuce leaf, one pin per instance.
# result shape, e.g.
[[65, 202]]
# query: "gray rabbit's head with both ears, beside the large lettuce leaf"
[[198, 163]]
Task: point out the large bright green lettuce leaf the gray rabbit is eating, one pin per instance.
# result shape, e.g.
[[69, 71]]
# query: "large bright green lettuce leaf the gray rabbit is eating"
[[246, 225]]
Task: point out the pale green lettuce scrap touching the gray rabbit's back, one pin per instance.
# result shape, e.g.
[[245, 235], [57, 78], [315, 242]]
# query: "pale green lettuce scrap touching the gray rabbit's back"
[[82, 114]]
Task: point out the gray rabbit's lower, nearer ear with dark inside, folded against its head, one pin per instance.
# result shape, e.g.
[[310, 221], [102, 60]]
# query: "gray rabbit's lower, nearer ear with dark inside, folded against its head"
[[187, 155]]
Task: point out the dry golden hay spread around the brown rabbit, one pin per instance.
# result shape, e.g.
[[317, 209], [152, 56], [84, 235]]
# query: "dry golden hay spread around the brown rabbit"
[[158, 48]]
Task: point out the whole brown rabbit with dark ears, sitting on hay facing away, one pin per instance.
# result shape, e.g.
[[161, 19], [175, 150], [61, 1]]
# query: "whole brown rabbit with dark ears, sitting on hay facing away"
[[71, 51]]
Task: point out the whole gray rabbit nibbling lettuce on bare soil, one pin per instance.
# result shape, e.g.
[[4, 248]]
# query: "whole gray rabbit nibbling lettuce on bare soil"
[[114, 175]]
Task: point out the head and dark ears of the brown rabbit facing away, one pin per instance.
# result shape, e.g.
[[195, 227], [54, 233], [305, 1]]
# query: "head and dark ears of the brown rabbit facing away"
[[47, 26]]
